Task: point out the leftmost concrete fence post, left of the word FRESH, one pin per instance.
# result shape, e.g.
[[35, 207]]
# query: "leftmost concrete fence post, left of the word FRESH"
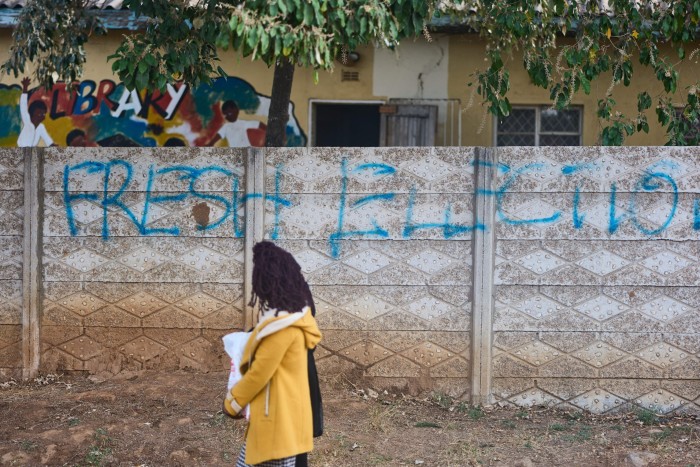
[[31, 260]]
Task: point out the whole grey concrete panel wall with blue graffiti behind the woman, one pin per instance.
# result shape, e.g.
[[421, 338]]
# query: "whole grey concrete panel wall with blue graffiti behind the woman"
[[527, 276]]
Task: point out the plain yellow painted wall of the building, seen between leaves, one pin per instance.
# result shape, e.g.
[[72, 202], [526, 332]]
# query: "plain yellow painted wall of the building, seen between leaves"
[[466, 54]]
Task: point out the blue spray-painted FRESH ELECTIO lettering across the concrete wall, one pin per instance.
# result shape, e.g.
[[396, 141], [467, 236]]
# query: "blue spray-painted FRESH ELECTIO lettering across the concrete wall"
[[117, 176]]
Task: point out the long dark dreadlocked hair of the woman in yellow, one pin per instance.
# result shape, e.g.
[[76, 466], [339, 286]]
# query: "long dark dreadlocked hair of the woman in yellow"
[[277, 280]]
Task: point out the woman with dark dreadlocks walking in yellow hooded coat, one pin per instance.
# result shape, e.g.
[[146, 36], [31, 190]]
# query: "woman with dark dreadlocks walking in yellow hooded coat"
[[275, 364]]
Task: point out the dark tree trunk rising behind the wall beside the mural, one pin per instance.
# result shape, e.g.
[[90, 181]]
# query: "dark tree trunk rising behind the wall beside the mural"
[[276, 135]]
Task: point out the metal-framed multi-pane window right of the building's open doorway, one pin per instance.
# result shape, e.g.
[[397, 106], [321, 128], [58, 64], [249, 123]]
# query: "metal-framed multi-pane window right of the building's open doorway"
[[539, 126]]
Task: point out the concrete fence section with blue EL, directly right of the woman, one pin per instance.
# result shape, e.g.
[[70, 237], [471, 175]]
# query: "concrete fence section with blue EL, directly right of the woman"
[[384, 238]]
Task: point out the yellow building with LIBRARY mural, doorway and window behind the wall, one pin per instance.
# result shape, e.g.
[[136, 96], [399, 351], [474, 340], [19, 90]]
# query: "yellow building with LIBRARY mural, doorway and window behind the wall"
[[416, 95]]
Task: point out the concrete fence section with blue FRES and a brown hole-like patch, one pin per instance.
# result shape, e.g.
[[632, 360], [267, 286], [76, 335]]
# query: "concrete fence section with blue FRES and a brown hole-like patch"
[[142, 258]]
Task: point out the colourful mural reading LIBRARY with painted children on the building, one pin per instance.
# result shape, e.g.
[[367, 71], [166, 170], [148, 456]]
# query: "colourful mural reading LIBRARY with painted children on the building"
[[229, 112]]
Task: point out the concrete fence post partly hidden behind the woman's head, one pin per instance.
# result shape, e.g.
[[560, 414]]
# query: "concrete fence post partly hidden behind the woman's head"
[[254, 220]]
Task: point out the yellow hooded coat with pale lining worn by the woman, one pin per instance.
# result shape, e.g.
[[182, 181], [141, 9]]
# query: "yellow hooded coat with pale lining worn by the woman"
[[276, 386]]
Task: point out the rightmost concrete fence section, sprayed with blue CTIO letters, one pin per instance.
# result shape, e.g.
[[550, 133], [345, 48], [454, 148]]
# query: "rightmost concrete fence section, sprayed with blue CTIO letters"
[[597, 281]]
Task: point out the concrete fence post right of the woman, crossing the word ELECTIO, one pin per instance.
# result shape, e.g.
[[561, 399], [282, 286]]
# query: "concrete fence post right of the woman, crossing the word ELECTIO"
[[483, 268]]
